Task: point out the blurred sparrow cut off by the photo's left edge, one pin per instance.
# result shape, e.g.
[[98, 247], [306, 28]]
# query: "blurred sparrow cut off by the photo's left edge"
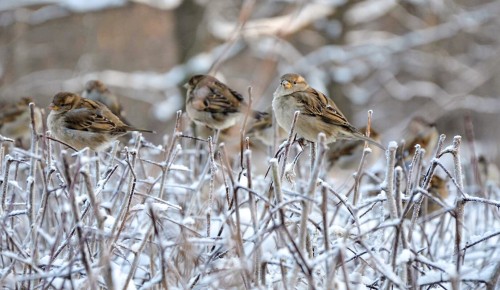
[[15, 120]]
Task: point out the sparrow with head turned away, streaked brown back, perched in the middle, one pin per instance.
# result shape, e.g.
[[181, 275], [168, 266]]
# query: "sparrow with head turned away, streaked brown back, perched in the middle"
[[211, 103]]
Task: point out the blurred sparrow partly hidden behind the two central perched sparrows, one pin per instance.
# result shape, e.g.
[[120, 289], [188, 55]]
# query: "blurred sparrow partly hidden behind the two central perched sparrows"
[[261, 127]]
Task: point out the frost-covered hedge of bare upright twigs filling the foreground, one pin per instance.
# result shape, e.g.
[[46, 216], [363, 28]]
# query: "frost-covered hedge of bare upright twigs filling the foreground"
[[259, 233]]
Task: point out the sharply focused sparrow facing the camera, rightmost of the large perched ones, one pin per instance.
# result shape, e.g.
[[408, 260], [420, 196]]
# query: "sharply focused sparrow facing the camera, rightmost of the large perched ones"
[[318, 113]]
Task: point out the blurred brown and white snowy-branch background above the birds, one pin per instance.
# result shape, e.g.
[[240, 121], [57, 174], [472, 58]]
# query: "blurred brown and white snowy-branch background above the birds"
[[437, 59]]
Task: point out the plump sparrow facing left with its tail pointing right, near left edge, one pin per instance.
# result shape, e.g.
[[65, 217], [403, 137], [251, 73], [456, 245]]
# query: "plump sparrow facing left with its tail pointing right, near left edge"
[[82, 122]]
